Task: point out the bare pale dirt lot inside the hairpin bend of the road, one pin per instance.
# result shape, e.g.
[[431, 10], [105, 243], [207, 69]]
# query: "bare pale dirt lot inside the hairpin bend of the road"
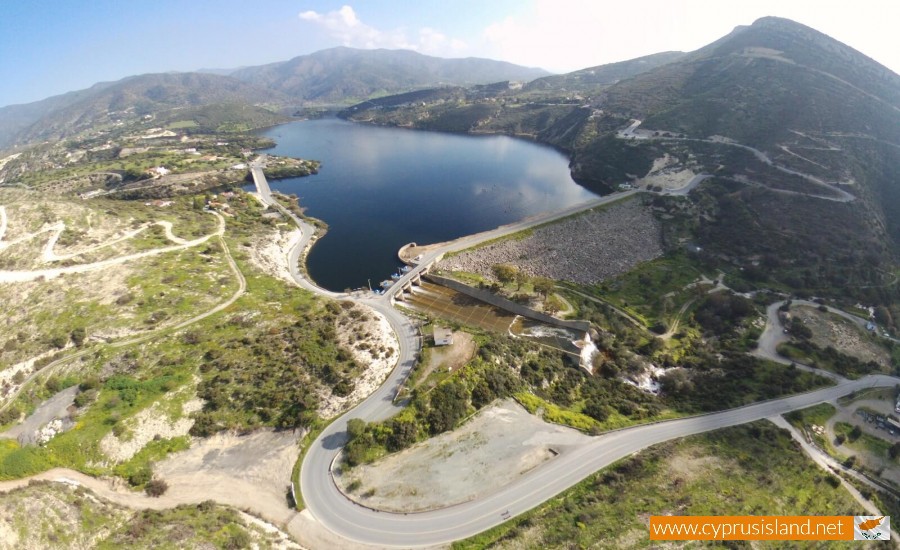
[[488, 452]]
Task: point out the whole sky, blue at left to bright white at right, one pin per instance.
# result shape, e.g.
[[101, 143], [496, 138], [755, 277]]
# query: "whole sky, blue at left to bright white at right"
[[50, 47]]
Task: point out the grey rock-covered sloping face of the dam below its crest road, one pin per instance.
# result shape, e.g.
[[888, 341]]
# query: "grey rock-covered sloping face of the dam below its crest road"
[[585, 249]]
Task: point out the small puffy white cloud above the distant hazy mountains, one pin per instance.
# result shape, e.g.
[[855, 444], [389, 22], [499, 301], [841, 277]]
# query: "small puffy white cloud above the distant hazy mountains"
[[345, 26]]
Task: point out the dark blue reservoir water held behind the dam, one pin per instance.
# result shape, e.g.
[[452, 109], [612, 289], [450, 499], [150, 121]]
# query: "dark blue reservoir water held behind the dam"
[[380, 188]]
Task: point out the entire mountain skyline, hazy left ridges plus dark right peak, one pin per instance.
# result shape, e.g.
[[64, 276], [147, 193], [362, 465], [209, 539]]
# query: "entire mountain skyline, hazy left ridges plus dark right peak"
[[800, 131]]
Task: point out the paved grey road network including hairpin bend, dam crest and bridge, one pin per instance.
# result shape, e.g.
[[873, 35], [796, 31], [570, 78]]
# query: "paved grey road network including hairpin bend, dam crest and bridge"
[[385, 529]]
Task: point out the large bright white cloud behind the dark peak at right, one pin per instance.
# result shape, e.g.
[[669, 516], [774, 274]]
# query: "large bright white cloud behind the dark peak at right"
[[565, 35]]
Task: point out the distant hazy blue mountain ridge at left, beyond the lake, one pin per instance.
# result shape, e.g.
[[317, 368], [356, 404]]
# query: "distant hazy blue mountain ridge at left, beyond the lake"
[[333, 76]]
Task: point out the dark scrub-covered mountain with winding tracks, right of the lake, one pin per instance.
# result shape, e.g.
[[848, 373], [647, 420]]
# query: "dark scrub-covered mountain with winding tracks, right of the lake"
[[801, 132]]
